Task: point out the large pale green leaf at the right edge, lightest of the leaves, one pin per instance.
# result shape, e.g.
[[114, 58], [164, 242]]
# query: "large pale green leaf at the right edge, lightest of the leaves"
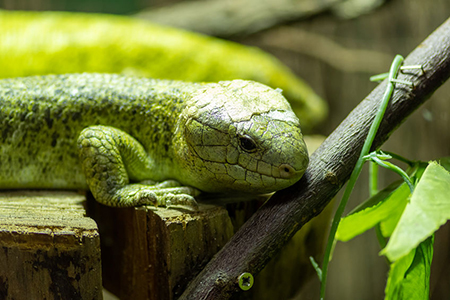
[[428, 209]]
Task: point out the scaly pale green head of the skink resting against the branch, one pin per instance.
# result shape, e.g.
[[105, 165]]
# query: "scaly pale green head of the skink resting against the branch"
[[243, 137]]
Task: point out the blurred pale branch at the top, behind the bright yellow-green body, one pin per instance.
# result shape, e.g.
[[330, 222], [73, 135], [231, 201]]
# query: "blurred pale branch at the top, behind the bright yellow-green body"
[[235, 17]]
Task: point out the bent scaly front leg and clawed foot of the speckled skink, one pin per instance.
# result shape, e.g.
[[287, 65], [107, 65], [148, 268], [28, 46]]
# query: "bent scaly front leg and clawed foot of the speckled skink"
[[111, 158]]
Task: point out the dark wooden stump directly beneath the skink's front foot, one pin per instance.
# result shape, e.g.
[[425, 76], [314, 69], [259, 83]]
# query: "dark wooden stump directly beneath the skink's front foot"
[[152, 253]]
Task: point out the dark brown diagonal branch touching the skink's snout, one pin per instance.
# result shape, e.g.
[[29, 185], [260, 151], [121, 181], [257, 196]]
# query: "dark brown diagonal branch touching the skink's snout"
[[330, 167]]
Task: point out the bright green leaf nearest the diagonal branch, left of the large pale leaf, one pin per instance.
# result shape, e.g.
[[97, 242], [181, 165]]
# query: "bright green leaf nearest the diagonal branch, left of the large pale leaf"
[[386, 205]]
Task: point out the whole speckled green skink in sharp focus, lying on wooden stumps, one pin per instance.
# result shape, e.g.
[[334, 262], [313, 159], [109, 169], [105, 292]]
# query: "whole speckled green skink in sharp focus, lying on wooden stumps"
[[109, 133]]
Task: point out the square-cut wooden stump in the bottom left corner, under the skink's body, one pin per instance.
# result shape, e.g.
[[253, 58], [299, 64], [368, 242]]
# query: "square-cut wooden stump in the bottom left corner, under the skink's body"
[[50, 250]]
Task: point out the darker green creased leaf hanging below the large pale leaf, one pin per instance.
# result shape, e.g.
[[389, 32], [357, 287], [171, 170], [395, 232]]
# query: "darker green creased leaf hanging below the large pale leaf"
[[409, 277]]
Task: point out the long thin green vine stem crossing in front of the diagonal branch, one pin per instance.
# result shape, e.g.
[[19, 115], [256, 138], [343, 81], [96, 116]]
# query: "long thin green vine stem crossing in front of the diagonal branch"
[[393, 72]]
